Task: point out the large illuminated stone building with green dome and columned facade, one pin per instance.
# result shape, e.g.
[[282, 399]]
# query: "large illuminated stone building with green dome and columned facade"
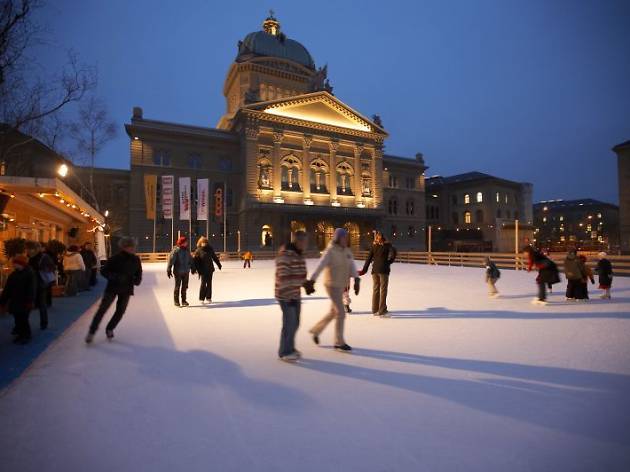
[[287, 154]]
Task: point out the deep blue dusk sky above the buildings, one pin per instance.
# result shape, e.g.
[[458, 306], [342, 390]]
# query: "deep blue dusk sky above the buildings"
[[535, 90]]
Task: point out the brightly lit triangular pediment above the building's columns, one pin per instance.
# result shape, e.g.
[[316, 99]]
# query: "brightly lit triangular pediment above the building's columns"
[[319, 107]]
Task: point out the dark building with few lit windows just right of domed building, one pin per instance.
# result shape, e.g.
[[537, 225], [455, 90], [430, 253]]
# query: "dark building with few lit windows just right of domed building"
[[478, 212]]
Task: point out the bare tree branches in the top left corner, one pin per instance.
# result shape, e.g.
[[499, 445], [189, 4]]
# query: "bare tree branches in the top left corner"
[[28, 100]]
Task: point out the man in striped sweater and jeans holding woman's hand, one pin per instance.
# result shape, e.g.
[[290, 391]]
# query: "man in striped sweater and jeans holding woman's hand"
[[290, 278]]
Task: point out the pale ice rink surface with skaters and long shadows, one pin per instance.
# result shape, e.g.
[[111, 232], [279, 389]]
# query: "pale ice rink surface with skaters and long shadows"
[[454, 381]]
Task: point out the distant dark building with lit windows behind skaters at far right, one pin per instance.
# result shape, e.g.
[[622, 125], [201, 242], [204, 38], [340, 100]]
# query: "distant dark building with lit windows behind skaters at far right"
[[586, 224]]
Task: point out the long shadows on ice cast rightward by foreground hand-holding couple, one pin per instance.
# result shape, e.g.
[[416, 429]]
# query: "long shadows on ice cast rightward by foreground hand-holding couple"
[[587, 403]]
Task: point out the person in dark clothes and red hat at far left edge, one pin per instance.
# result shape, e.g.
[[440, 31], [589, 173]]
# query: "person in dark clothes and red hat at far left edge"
[[18, 297]]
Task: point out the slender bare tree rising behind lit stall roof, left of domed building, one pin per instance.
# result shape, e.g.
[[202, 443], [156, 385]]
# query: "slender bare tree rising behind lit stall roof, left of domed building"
[[93, 130]]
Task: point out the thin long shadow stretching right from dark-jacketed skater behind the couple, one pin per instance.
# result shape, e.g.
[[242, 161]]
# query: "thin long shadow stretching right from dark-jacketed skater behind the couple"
[[545, 313]]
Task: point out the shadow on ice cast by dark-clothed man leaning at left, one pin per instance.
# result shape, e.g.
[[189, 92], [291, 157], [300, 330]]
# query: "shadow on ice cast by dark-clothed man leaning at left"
[[205, 369]]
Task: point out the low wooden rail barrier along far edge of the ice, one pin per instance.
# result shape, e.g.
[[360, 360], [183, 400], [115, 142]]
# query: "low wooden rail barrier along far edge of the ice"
[[621, 264]]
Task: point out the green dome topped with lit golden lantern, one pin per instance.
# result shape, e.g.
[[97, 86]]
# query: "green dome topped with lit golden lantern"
[[272, 43]]
